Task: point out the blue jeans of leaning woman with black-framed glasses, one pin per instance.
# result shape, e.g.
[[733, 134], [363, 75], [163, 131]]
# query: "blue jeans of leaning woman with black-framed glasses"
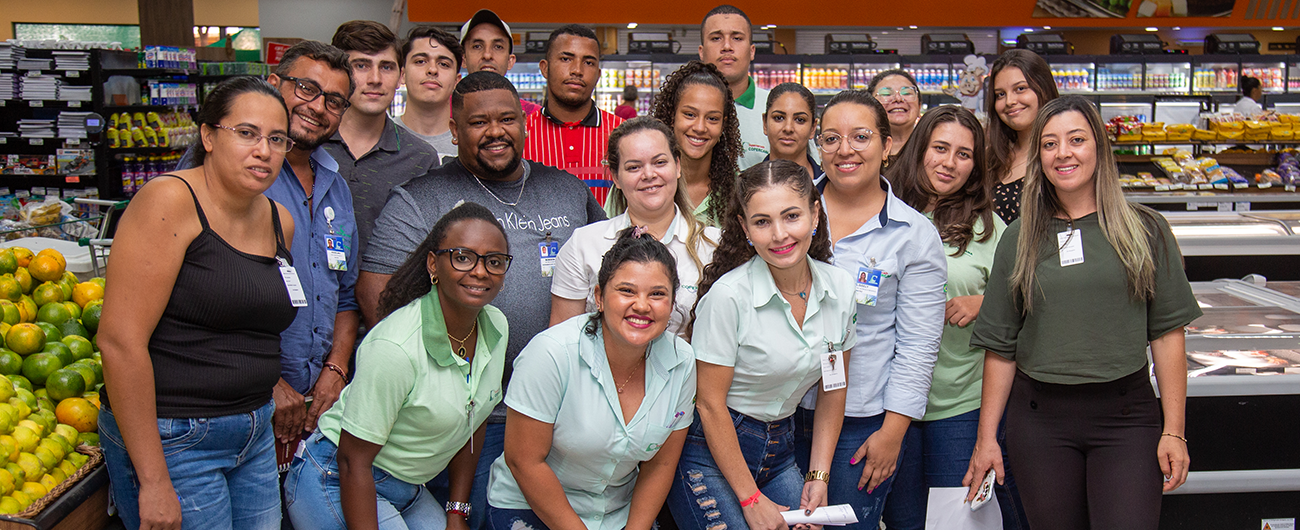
[[314, 498]]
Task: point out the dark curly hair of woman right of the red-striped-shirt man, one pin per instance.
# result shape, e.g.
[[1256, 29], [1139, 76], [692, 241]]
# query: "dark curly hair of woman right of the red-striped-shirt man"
[[723, 166]]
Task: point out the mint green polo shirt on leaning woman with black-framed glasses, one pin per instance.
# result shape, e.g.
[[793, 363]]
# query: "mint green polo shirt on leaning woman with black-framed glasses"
[[417, 398]]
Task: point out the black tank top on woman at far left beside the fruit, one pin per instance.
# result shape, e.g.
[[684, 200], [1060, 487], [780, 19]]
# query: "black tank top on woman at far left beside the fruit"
[[216, 349]]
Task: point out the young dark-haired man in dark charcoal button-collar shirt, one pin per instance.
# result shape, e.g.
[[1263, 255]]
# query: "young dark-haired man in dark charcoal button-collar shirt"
[[372, 151]]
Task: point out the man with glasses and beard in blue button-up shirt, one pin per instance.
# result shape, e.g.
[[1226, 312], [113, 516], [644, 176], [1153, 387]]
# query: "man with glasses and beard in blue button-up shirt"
[[317, 84]]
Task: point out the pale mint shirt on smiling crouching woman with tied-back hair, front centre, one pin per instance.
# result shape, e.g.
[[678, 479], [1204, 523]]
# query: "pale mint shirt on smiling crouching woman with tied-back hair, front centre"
[[564, 379]]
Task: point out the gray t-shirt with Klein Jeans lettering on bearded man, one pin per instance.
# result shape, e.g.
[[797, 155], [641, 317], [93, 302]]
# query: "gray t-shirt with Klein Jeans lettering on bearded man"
[[551, 203]]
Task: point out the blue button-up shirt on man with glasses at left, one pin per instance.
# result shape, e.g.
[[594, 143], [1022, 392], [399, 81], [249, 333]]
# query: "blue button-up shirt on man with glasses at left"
[[306, 344]]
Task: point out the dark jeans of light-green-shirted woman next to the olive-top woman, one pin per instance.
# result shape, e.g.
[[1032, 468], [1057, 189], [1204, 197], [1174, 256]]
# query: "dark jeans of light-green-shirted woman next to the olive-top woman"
[[937, 454]]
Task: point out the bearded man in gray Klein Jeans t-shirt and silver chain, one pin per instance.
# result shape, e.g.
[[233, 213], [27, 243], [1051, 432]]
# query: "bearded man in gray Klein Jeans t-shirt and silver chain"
[[539, 206]]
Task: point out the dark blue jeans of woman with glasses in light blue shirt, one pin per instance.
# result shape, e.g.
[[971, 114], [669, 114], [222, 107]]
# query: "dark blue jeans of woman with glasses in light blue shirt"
[[844, 477]]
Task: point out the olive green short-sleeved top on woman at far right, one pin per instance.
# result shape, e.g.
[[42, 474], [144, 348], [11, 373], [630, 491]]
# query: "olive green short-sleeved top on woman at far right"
[[1085, 327]]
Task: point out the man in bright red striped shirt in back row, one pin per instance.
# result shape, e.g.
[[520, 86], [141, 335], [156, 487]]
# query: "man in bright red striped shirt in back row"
[[570, 132]]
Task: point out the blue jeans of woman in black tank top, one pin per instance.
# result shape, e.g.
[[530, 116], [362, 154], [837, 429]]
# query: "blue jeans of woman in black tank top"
[[223, 471]]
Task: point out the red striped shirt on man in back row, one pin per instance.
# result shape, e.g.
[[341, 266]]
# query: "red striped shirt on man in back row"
[[578, 149]]
